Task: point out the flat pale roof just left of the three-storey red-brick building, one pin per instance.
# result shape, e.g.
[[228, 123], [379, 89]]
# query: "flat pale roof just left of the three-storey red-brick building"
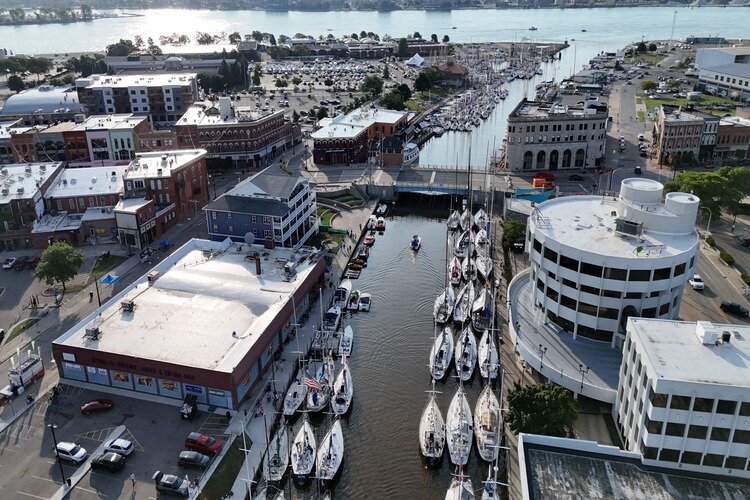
[[89, 181]]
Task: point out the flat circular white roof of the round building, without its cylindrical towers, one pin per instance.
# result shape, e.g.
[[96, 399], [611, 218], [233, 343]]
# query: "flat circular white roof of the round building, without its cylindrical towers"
[[587, 223]]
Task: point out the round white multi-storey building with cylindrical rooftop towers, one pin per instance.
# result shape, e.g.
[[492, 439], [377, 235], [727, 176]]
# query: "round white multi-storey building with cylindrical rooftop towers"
[[597, 261]]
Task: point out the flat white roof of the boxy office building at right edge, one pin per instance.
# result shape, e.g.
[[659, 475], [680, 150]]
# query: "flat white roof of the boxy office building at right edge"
[[675, 353]]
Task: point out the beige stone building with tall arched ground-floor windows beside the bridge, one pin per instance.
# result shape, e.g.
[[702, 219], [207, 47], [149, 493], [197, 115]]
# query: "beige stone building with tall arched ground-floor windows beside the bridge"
[[552, 136]]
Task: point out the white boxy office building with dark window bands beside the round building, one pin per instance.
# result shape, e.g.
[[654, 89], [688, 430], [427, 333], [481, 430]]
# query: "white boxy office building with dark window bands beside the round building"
[[683, 400]]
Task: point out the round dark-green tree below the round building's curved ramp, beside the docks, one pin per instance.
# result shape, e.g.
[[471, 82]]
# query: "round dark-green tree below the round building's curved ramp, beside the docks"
[[540, 409]]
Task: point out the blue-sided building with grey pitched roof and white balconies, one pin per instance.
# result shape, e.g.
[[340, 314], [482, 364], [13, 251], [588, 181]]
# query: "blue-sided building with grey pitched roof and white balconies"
[[275, 206]]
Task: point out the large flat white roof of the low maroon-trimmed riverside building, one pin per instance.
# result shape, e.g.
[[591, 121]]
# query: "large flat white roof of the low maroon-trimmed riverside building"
[[206, 309]]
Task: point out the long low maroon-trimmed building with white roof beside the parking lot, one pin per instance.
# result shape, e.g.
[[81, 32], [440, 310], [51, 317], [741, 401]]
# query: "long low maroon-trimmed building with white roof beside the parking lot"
[[206, 321]]
